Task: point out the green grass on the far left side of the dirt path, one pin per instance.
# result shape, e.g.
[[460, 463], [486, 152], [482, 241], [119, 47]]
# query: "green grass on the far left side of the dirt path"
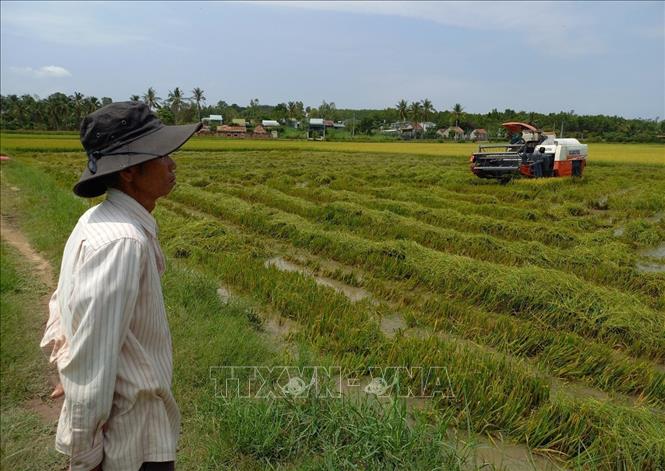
[[27, 440]]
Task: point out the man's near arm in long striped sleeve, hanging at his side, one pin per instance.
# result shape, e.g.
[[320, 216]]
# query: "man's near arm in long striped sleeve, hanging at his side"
[[102, 305]]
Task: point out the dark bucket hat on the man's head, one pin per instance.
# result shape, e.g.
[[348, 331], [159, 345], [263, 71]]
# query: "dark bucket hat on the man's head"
[[123, 134]]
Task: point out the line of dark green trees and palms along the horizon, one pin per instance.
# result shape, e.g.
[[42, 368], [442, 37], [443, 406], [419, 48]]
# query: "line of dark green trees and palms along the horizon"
[[61, 112]]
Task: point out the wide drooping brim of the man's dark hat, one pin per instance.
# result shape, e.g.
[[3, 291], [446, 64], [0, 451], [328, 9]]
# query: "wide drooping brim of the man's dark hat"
[[164, 141]]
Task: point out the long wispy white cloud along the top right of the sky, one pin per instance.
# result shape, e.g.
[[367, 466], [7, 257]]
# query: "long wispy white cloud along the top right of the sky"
[[554, 28]]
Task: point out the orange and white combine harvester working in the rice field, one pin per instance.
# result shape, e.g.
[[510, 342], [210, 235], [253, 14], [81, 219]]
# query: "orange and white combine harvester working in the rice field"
[[530, 153]]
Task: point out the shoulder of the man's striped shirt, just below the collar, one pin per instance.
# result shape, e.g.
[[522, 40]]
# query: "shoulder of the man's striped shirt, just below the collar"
[[105, 223]]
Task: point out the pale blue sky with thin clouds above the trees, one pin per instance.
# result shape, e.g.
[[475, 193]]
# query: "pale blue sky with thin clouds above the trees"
[[590, 57]]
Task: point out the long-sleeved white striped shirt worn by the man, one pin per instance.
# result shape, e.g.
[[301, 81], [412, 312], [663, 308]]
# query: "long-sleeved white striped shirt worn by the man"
[[108, 334]]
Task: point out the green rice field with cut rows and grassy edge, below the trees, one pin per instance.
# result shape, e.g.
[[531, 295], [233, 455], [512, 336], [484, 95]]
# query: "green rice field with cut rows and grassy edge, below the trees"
[[530, 316]]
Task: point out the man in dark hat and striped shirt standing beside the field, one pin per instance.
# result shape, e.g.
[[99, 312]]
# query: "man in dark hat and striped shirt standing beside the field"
[[107, 328]]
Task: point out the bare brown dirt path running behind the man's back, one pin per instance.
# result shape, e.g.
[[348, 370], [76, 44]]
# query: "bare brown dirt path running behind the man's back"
[[46, 408]]
